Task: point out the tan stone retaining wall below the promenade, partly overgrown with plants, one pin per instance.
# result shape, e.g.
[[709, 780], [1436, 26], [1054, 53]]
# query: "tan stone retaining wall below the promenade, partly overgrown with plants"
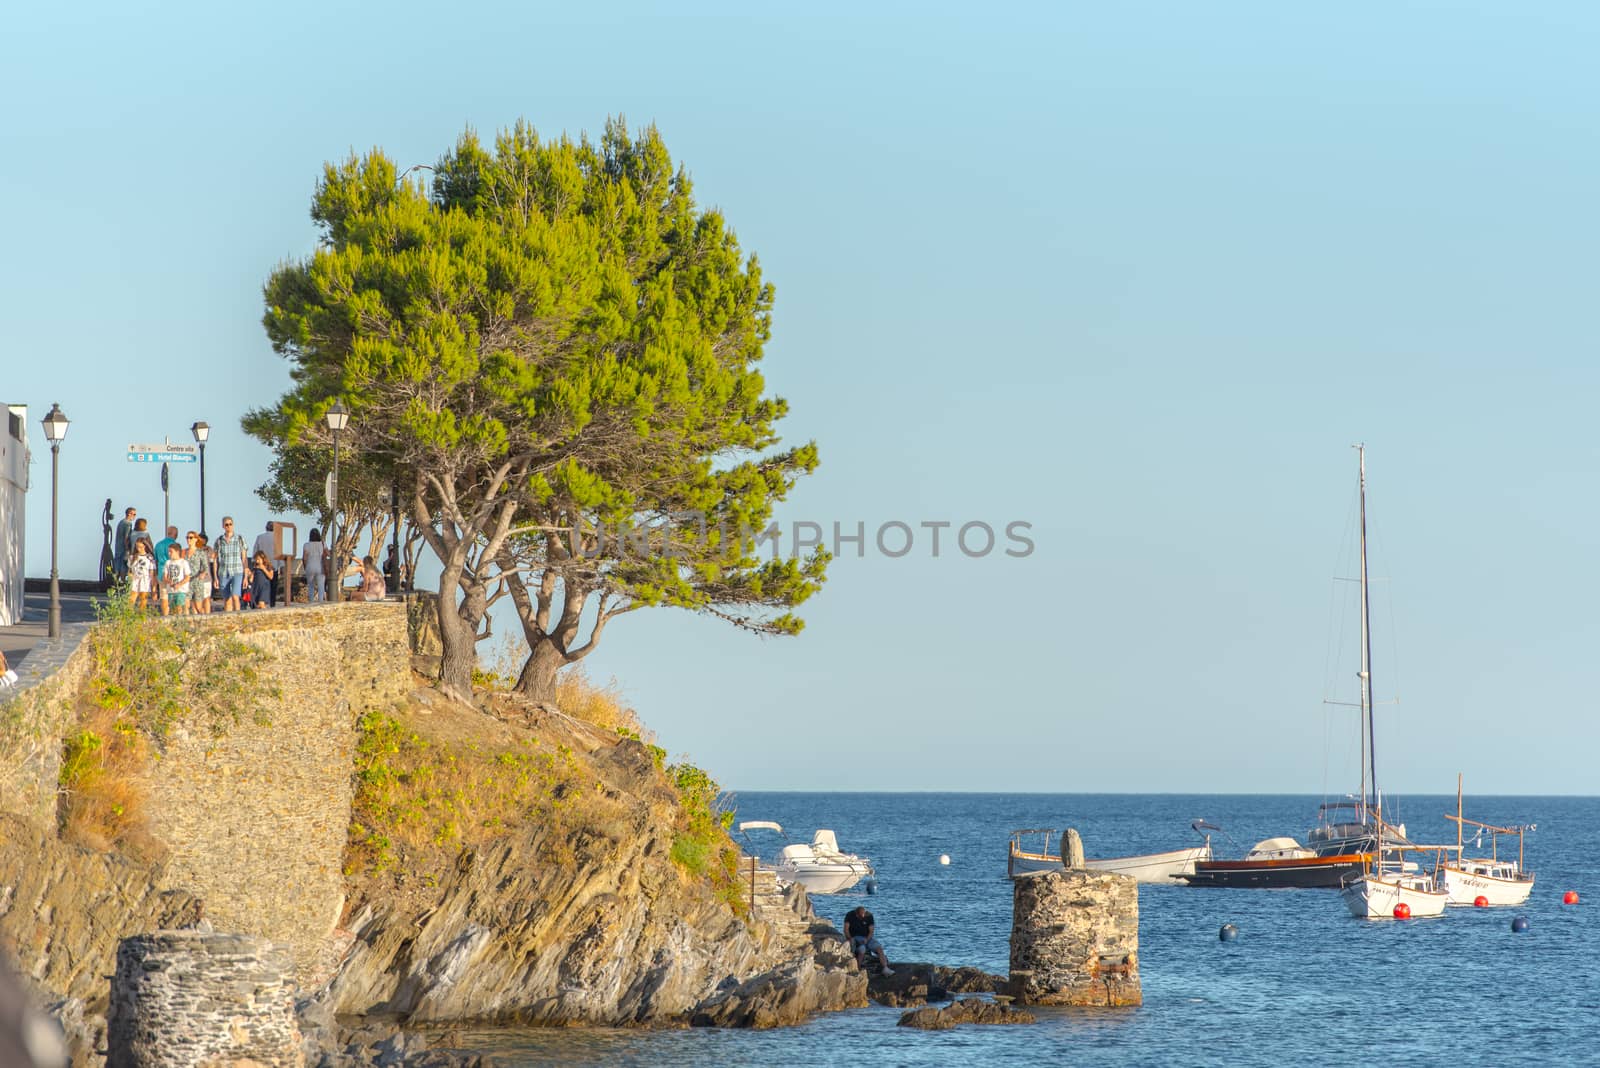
[[252, 818]]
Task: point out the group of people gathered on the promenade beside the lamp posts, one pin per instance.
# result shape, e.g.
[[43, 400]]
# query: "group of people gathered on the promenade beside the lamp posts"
[[185, 576]]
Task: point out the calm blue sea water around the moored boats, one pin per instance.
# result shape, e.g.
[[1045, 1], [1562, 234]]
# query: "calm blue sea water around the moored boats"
[[1305, 982]]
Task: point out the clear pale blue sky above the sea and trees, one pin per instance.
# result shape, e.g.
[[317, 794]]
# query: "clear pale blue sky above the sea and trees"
[[1137, 274]]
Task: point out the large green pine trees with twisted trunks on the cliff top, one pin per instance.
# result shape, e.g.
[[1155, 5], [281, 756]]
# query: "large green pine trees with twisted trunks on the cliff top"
[[553, 338]]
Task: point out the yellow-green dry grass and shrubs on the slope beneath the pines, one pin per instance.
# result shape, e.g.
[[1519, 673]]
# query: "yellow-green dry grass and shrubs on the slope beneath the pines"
[[439, 778]]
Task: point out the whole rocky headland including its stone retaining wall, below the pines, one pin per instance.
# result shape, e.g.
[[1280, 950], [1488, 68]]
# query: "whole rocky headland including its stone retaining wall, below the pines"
[[580, 899]]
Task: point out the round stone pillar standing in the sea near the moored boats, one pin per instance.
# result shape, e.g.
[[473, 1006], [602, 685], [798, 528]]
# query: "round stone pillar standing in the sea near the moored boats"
[[1076, 939]]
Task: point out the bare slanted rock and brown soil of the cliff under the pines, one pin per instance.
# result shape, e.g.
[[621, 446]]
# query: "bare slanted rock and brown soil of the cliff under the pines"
[[598, 928]]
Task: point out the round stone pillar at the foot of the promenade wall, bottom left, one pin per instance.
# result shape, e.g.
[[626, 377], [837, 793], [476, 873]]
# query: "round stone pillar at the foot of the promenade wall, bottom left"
[[201, 998]]
